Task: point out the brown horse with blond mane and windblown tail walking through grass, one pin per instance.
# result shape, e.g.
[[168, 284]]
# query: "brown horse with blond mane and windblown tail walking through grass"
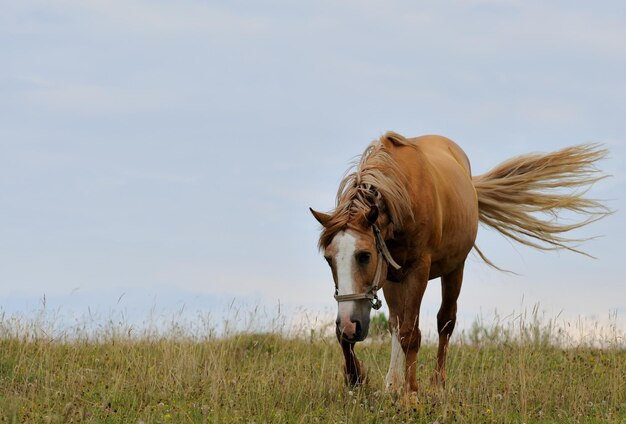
[[409, 213]]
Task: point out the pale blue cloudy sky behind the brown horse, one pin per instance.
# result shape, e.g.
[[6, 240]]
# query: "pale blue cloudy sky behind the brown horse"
[[162, 156]]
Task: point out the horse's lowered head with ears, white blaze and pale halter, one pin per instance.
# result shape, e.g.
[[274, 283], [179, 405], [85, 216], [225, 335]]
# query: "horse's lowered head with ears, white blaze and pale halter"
[[356, 261]]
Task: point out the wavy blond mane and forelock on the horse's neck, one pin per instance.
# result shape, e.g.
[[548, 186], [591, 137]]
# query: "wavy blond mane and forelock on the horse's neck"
[[376, 179]]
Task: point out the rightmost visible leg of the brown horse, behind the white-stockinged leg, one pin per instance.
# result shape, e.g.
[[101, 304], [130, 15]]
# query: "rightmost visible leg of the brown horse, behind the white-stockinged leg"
[[446, 319]]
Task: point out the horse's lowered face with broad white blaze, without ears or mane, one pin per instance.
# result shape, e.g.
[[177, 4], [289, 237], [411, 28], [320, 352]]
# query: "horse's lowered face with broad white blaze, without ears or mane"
[[352, 257]]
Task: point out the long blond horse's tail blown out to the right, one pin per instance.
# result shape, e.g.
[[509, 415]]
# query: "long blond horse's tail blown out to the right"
[[524, 197]]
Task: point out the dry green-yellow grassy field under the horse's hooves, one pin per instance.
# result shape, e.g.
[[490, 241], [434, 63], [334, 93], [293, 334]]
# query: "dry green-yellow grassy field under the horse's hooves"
[[494, 375]]
